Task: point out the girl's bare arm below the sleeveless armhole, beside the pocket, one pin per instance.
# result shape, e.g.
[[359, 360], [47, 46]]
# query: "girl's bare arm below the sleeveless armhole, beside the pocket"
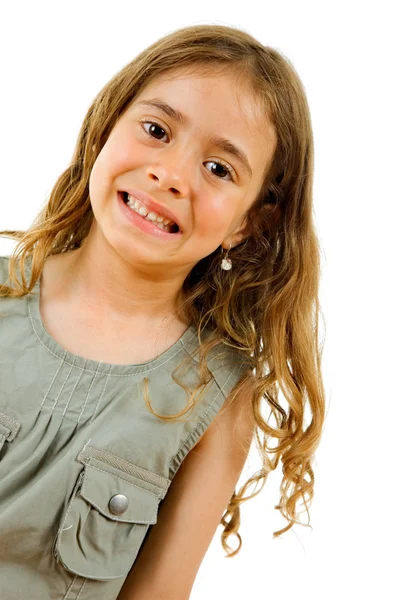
[[190, 513]]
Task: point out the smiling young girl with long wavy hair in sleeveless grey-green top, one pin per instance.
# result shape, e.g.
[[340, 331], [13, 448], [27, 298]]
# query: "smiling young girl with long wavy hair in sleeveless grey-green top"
[[167, 289]]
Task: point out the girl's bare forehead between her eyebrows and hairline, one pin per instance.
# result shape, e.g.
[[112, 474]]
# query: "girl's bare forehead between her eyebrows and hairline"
[[213, 103]]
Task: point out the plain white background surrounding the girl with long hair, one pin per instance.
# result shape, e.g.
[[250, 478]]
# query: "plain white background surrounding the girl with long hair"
[[55, 57]]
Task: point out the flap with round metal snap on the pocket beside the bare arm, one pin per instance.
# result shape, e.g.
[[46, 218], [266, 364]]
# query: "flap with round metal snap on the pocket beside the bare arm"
[[100, 486]]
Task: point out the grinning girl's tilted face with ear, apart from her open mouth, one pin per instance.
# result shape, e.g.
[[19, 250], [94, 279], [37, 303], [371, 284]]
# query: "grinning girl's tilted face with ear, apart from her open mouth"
[[177, 163]]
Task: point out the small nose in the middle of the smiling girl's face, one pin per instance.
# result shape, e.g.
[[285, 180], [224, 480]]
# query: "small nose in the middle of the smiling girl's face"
[[171, 172]]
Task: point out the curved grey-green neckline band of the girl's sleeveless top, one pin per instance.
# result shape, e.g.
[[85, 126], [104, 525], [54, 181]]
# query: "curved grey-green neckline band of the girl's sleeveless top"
[[87, 364]]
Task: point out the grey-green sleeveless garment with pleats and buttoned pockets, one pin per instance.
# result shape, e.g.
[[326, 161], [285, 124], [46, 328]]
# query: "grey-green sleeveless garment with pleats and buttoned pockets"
[[84, 464]]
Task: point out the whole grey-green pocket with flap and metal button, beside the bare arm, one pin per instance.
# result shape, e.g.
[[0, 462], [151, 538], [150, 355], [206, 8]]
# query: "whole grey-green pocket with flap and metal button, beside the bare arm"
[[108, 516]]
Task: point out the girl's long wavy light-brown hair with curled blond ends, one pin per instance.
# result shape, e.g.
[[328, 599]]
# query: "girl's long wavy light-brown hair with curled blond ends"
[[267, 306]]
